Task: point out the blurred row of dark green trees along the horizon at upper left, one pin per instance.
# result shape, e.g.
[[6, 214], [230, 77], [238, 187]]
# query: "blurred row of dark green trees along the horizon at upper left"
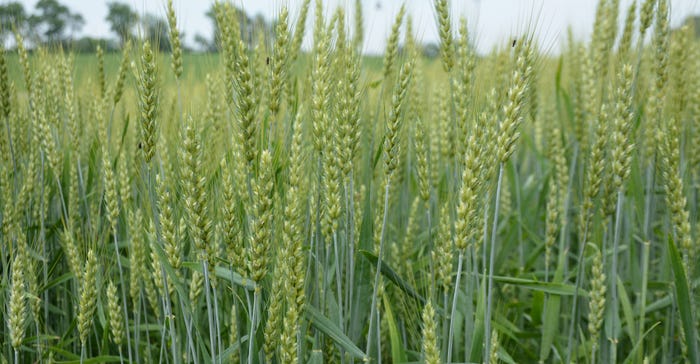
[[53, 24]]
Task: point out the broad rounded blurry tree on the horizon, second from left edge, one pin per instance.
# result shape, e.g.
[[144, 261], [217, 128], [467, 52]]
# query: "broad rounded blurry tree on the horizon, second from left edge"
[[52, 20]]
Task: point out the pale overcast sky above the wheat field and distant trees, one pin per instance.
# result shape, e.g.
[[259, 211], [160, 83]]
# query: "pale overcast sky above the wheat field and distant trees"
[[491, 21]]
